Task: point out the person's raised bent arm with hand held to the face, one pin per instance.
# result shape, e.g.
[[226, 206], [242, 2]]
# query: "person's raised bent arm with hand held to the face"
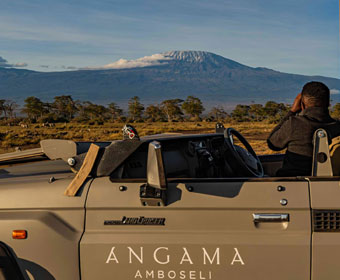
[[280, 136]]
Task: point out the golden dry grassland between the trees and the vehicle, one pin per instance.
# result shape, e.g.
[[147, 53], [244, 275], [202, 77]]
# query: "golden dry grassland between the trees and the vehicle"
[[11, 137]]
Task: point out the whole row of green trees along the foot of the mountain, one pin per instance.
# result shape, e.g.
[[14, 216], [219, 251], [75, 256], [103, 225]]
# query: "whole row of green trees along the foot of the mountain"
[[65, 109]]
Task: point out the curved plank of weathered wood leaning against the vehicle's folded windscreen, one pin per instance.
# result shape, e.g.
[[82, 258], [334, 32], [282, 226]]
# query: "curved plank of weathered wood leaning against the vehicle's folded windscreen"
[[84, 171]]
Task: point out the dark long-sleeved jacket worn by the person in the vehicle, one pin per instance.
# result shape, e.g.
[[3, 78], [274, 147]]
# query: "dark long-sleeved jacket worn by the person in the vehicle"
[[295, 132]]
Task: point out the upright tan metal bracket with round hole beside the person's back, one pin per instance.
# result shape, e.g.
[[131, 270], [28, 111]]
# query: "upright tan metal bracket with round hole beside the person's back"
[[322, 165]]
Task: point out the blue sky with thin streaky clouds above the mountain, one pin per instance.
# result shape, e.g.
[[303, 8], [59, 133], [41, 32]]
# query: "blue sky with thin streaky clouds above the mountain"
[[300, 36]]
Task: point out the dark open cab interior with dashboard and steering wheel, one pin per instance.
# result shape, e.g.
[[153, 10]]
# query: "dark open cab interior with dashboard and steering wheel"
[[203, 156]]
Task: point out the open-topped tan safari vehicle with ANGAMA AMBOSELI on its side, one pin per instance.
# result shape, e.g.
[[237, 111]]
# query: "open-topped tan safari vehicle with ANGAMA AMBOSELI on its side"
[[167, 207]]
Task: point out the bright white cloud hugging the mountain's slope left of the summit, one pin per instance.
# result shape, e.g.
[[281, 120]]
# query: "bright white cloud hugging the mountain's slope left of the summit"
[[153, 60]]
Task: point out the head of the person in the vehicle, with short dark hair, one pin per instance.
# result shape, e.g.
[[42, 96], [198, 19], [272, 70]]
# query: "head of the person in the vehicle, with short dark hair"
[[316, 94]]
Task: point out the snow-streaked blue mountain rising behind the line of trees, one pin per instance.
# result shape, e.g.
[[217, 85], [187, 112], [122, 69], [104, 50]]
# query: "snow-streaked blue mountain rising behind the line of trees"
[[175, 74]]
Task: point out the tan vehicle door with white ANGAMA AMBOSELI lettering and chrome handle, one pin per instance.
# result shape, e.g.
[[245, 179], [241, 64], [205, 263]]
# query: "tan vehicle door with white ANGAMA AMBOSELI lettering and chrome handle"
[[209, 229]]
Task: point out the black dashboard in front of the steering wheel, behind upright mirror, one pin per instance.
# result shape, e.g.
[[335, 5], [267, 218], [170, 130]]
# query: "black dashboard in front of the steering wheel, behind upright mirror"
[[201, 156]]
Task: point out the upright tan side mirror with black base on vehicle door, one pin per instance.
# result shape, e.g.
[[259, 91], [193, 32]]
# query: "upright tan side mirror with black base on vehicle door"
[[153, 193]]
